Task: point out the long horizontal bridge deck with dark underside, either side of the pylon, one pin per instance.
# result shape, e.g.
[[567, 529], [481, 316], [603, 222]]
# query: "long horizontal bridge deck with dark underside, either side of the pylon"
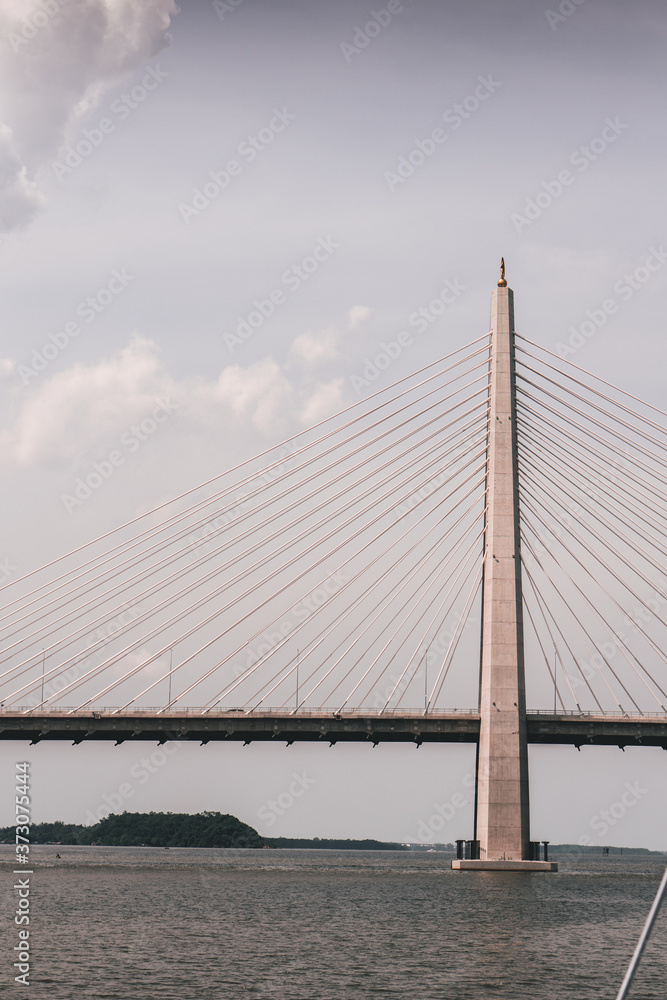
[[333, 727]]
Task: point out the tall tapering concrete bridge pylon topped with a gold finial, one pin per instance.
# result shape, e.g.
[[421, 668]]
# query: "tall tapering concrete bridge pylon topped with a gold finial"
[[502, 816]]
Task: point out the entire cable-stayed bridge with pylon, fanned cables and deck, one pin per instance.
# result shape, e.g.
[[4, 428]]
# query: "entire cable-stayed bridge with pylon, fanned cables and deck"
[[337, 586]]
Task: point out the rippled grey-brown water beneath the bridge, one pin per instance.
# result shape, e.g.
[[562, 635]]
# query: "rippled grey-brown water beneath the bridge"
[[184, 924]]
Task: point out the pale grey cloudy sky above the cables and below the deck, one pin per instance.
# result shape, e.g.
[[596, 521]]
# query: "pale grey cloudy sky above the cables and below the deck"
[[164, 170]]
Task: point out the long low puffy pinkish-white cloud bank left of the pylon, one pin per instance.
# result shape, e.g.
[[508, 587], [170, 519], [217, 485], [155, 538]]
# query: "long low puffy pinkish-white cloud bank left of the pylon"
[[88, 406]]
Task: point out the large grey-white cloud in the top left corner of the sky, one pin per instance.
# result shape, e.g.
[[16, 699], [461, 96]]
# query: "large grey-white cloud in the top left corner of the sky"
[[57, 60]]
